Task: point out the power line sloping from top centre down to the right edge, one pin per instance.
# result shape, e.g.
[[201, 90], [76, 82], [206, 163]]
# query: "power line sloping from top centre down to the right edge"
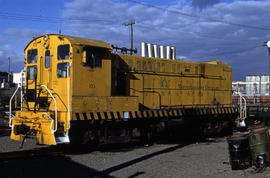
[[200, 17]]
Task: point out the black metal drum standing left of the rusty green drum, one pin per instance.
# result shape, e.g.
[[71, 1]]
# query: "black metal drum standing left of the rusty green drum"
[[239, 150]]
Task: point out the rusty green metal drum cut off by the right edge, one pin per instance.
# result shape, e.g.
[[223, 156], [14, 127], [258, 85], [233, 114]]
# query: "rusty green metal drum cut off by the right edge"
[[259, 140]]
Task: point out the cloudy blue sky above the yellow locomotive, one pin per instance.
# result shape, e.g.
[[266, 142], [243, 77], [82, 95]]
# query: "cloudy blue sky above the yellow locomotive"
[[233, 31]]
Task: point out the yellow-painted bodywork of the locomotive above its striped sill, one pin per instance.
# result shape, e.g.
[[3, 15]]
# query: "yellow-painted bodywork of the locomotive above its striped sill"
[[122, 83]]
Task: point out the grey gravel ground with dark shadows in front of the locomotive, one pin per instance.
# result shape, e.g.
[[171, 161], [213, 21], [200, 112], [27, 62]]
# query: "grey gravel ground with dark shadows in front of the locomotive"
[[202, 159]]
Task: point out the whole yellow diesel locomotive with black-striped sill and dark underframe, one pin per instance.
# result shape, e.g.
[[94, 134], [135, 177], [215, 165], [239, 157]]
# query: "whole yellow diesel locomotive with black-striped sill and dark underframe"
[[78, 90]]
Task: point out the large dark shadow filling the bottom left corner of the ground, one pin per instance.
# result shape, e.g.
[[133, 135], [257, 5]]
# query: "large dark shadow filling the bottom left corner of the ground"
[[39, 163]]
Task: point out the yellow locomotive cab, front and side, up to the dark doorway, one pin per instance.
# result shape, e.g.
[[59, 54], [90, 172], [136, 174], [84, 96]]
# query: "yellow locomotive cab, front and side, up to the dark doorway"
[[62, 74]]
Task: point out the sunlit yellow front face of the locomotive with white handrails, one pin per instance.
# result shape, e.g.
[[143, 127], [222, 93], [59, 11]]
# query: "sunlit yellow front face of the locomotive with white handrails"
[[46, 107]]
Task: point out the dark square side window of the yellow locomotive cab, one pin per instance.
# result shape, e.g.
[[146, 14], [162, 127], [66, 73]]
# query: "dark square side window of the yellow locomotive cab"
[[92, 57]]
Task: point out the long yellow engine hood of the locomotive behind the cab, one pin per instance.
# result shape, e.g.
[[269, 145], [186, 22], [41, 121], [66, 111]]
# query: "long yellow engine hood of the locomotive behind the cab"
[[178, 83]]
